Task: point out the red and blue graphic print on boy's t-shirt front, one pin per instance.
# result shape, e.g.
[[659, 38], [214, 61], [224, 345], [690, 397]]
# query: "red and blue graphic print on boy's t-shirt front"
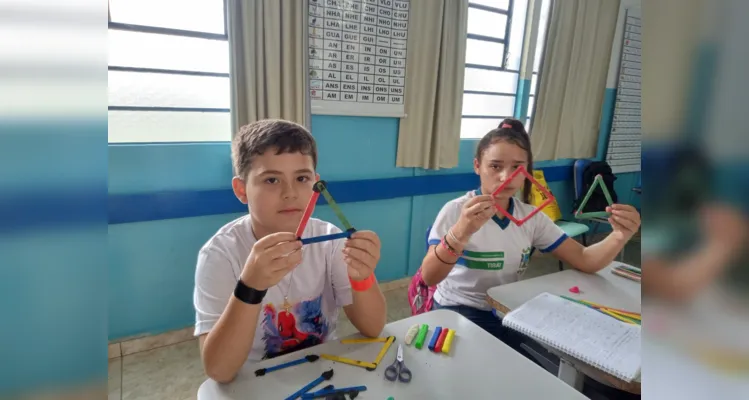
[[293, 327]]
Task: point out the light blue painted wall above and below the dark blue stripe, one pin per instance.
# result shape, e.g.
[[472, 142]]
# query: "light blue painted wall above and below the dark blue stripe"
[[152, 263]]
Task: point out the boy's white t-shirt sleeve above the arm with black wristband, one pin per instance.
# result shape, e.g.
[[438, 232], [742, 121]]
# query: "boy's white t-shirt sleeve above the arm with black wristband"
[[214, 284]]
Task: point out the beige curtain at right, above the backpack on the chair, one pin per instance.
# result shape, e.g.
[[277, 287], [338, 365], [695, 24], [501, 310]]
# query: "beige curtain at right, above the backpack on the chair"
[[573, 78]]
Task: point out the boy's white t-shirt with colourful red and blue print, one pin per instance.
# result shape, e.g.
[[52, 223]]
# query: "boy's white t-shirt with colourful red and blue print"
[[316, 289]]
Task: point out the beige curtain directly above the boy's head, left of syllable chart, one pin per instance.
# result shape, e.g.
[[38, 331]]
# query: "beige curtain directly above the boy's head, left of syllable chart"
[[267, 41]]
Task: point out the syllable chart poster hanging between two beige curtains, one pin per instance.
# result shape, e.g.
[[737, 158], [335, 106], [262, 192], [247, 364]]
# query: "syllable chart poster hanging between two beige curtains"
[[357, 57]]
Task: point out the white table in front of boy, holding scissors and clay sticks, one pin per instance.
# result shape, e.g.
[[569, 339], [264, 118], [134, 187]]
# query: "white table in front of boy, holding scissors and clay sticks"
[[478, 367]]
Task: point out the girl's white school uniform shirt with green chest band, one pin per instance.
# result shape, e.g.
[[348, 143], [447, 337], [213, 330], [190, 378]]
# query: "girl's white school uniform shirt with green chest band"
[[498, 253]]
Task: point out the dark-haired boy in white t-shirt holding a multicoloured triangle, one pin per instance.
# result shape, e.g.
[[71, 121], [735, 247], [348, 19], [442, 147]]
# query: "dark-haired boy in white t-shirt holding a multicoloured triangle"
[[258, 292]]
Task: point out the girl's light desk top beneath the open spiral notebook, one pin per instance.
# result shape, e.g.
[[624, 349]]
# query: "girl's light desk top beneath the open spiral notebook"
[[603, 287]]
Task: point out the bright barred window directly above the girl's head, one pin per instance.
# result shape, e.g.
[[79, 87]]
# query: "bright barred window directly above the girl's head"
[[494, 46]]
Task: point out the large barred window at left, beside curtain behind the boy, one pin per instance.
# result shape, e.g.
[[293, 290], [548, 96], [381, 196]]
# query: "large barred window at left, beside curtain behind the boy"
[[168, 71]]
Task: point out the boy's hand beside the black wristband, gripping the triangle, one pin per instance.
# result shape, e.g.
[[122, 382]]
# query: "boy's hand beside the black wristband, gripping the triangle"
[[271, 258]]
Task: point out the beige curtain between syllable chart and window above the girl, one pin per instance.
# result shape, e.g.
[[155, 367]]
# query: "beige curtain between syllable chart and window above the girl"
[[429, 136]]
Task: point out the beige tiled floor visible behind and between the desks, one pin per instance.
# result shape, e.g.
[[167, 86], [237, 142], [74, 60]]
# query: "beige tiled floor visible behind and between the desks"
[[175, 371]]
